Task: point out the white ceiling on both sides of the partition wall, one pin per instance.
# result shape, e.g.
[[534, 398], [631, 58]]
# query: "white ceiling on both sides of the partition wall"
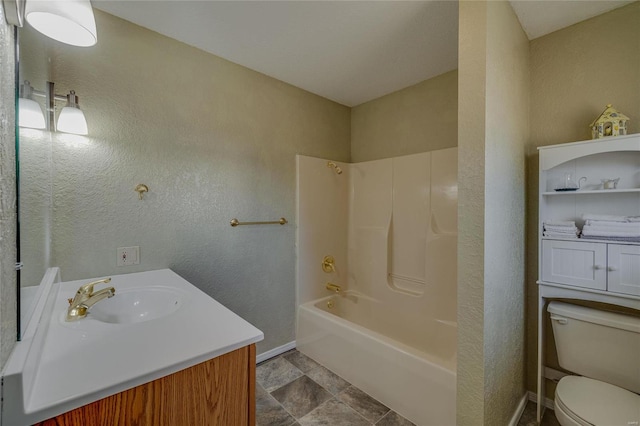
[[347, 51]]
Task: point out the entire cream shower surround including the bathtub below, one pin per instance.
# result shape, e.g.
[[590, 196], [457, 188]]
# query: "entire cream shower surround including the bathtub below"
[[391, 226]]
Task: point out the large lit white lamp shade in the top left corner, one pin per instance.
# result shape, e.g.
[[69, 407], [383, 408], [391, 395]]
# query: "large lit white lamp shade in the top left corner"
[[68, 21]]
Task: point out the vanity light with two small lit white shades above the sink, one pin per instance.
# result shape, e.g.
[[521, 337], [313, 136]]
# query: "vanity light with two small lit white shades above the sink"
[[70, 120]]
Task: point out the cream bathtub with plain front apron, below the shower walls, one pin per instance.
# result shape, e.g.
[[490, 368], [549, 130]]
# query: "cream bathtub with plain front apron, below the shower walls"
[[412, 373]]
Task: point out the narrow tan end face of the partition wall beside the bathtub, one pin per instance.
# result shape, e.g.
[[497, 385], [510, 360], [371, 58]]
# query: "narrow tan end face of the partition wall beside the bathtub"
[[471, 175]]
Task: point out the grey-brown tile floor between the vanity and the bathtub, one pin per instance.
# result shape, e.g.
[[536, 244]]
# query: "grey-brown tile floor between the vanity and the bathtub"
[[293, 389]]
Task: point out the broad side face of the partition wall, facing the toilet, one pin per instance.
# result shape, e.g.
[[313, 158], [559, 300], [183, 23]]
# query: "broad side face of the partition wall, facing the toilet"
[[507, 134]]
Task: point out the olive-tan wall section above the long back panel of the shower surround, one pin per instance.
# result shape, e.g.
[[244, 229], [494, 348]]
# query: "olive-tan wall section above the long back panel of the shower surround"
[[420, 118]]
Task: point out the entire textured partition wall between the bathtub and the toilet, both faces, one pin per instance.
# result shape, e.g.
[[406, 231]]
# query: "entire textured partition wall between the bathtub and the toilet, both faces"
[[493, 131]]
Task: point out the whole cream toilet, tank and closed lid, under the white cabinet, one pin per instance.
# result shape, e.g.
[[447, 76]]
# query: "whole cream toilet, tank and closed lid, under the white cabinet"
[[604, 348]]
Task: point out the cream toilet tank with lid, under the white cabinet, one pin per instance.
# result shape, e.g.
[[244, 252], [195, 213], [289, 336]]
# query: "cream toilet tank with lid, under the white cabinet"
[[601, 345]]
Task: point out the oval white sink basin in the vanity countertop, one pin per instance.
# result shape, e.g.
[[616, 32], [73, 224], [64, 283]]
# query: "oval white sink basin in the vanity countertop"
[[138, 305]]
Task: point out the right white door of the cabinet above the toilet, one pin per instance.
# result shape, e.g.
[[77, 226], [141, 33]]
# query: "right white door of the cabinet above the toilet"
[[624, 269]]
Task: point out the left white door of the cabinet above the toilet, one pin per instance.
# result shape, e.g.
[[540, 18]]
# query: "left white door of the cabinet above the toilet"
[[575, 263]]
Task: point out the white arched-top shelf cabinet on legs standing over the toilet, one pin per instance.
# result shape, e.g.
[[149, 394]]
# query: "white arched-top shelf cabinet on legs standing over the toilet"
[[587, 269]]
